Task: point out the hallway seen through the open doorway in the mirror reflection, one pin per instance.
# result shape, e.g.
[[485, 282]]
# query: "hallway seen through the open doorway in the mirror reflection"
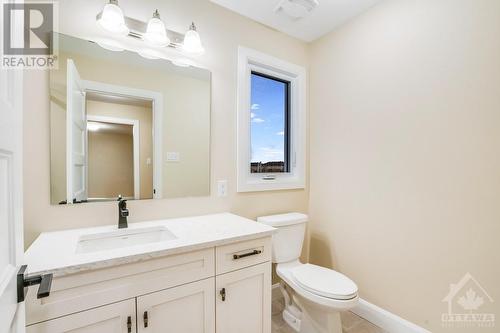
[[120, 147]]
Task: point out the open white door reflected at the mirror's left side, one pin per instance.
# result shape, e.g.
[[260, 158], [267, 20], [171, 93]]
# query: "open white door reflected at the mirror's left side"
[[76, 136]]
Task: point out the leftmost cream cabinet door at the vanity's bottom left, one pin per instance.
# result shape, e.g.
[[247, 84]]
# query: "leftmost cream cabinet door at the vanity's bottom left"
[[113, 318]]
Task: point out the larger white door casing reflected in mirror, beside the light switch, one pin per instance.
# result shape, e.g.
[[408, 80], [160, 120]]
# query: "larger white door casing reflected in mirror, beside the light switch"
[[157, 106]]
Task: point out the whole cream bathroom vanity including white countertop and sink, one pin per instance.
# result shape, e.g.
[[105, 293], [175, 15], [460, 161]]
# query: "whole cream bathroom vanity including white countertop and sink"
[[200, 274]]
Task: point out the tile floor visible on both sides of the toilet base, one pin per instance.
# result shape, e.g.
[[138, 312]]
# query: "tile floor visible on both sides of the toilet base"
[[351, 323]]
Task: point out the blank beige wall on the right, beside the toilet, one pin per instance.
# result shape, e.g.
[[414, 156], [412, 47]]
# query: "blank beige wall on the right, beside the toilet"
[[405, 141]]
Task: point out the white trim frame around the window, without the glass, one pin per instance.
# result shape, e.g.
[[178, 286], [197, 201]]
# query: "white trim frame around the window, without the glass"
[[251, 60]]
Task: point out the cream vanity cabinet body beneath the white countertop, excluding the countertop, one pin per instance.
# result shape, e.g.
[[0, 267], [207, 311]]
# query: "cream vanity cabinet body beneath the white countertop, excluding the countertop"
[[222, 289]]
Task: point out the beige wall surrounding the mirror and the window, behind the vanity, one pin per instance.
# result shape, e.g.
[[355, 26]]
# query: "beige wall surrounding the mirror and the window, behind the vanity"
[[222, 31]]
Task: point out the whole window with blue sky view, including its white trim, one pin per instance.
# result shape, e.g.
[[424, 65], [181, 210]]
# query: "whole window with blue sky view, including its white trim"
[[271, 123]]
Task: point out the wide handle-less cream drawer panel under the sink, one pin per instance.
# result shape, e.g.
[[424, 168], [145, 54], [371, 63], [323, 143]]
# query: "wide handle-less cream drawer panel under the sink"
[[82, 291]]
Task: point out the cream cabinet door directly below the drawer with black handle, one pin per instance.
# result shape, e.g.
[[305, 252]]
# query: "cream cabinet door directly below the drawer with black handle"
[[244, 300]]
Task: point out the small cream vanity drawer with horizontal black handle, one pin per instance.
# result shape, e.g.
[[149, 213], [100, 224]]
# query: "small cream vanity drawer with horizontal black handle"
[[243, 254]]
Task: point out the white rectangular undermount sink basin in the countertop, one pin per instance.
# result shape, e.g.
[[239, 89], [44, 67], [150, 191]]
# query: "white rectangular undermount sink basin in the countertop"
[[123, 238]]
